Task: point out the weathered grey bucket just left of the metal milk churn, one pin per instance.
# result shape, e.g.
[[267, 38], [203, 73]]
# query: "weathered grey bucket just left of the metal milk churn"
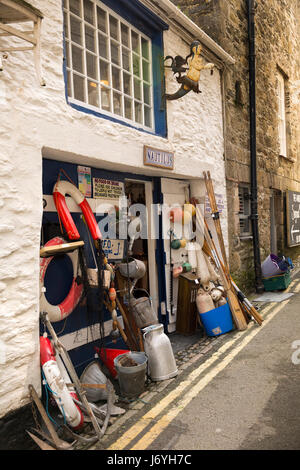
[[132, 379]]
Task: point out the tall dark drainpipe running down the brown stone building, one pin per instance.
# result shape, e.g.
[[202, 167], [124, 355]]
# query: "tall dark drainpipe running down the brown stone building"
[[253, 163]]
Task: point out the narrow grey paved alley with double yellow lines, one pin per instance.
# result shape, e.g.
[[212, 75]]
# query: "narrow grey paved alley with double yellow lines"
[[240, 391]]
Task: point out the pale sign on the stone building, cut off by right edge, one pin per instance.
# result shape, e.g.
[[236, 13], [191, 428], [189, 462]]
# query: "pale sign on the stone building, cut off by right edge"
[[293, 218]]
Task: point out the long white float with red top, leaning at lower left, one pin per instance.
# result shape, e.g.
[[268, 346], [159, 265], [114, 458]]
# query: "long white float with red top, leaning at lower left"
[[55, 380]]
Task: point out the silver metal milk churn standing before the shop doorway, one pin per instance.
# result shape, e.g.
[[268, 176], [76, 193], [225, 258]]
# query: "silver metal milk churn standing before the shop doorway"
[[161, 360]]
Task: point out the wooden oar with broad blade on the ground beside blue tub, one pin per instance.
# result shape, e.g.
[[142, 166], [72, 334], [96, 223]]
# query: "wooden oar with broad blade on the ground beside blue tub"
[[237, 314]]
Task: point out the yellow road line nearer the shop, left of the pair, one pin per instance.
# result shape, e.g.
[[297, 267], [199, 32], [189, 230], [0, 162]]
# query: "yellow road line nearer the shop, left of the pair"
[[145, 420]]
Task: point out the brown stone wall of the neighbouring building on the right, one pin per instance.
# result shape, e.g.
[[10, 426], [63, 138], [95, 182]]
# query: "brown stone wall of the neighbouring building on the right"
[[277, 29]]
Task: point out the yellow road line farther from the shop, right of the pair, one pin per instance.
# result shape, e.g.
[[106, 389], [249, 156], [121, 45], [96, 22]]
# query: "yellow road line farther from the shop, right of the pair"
[[168, 417]]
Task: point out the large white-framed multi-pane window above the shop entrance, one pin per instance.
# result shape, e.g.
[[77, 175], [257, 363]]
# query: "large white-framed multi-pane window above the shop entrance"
[[108, 63]]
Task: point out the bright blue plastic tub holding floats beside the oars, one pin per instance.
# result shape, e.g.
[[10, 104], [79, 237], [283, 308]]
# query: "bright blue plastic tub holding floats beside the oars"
[[217, 321]]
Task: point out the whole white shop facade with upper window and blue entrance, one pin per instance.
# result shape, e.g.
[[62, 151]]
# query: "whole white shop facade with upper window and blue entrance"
[[110, 120]]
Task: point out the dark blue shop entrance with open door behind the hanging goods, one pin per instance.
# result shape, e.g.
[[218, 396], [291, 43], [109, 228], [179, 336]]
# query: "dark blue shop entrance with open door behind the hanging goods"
[[149, 199]]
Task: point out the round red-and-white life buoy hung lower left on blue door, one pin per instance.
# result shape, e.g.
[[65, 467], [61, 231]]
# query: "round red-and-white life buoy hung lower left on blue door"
[[61, 311]]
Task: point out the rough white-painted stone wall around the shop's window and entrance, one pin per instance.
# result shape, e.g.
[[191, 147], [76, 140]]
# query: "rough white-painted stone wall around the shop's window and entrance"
[[36, 121]]
